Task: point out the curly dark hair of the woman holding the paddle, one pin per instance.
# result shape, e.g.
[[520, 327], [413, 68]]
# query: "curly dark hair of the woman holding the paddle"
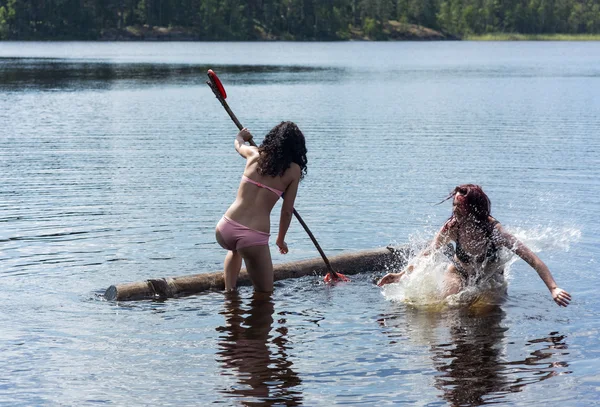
[[282, 146]]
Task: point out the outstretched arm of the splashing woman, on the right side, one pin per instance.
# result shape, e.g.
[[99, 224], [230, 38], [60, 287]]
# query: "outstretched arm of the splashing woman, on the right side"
[[560, 296]]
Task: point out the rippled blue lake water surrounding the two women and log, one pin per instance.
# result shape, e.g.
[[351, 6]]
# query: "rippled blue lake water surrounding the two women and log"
[[117, 162]]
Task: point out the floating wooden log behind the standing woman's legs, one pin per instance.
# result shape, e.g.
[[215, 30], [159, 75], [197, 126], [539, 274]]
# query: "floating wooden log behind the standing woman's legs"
[[346, 263]]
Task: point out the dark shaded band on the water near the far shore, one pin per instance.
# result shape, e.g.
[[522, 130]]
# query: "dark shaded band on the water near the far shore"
[[67, 74]]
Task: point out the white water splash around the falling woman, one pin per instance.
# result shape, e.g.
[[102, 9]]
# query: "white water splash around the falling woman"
[[424, 286]]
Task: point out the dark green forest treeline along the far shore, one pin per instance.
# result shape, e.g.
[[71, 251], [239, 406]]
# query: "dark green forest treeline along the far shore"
[[291, 19]]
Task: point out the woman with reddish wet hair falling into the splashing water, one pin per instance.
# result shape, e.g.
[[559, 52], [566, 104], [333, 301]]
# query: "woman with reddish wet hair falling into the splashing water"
[[478, 237]]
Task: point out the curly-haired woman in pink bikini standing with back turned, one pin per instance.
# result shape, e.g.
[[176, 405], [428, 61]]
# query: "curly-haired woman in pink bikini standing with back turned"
[[272, 169]]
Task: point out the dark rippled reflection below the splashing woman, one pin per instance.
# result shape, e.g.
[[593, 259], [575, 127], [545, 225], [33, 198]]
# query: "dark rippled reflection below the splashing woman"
[[474, 367]]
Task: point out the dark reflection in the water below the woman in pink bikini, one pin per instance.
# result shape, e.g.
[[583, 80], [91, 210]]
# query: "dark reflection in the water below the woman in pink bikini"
[[250, 351]]
